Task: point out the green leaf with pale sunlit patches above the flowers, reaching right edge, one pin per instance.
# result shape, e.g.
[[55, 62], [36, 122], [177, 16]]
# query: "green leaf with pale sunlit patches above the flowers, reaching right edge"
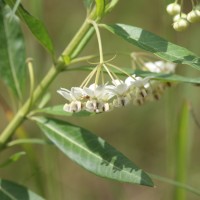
[[155, 44]]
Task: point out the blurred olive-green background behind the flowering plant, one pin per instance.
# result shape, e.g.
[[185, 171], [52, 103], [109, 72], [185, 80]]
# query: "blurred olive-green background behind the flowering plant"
[[145, 134]]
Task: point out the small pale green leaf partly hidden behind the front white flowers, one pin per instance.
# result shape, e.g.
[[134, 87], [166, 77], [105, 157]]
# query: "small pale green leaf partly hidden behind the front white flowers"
[[58, 110]]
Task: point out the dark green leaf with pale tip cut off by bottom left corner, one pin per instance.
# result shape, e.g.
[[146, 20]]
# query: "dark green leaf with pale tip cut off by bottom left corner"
[[13, 191]]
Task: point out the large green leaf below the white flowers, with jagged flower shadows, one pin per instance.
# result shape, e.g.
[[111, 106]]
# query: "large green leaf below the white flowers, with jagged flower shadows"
[[92, 152]]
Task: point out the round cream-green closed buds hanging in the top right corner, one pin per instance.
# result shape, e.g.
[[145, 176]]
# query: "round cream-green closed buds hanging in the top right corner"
[[180, 19]]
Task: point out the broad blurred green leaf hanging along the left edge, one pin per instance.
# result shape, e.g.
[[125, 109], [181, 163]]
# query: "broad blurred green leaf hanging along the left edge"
[[12, 51]]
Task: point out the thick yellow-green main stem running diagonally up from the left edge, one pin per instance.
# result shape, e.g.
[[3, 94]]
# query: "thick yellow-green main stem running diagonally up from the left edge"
[[50, 76]]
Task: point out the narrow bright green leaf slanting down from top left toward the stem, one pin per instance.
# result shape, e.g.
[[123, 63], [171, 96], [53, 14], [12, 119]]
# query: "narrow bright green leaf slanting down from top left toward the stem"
[[36, 26]]
